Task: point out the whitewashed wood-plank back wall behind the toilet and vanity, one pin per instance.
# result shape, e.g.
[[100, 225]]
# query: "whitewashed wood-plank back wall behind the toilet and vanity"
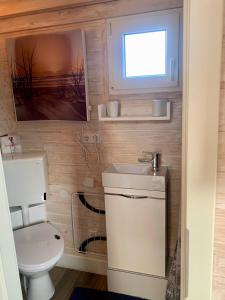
[[121, 142]]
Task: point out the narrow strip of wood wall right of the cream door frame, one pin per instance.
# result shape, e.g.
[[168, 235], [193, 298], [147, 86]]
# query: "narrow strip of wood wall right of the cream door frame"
[[219, 241]]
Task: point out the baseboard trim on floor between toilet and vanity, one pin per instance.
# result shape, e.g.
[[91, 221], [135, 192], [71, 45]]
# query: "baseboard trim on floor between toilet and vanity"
[[85, 264]]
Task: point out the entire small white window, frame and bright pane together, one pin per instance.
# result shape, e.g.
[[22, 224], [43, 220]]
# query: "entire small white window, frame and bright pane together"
[[144, 52]]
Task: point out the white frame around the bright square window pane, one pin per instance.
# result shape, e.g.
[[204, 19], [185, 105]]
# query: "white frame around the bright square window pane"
[[117, 28]]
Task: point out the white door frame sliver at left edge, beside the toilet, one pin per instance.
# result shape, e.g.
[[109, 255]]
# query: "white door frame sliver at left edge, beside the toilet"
[[10, 288]]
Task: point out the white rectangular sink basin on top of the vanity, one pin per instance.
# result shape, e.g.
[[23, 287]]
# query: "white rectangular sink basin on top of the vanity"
[[134, 176]]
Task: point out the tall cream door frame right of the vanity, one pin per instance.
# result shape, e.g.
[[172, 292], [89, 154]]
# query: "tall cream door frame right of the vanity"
[[203, 31]]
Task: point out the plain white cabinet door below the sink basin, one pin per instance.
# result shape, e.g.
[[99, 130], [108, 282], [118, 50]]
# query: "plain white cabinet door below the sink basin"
[[136, 234]]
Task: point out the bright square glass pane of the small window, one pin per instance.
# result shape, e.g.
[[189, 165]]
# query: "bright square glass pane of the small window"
[[145, 54]]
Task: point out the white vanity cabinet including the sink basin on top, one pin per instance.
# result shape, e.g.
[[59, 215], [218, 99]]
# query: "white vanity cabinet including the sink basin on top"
[[135, 203]]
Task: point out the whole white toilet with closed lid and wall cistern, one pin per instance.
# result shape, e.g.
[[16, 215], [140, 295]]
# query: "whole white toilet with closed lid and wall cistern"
[[39, 246]]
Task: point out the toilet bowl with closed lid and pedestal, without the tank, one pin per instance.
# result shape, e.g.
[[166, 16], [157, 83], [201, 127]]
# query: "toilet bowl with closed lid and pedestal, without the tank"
[[38, 247]]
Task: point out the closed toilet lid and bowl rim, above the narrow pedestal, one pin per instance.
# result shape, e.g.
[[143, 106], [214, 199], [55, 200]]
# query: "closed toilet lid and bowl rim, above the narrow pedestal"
[[38, 247]]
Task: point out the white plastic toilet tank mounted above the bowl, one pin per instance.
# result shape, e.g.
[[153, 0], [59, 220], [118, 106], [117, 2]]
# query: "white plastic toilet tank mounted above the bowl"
[[26, 178]]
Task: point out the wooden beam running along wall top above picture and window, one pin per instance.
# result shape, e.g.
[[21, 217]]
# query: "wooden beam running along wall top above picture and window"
[[85, 14]]
